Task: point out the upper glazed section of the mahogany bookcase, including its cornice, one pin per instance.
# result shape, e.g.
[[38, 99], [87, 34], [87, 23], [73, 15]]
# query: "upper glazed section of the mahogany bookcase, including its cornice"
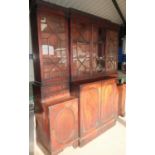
[[71, 45]]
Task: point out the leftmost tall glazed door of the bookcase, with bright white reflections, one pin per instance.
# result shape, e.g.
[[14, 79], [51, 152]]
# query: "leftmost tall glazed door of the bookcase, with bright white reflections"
[[53, 48]]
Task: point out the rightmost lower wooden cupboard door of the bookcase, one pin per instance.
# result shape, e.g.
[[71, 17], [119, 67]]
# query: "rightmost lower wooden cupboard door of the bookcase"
[[108, 101]]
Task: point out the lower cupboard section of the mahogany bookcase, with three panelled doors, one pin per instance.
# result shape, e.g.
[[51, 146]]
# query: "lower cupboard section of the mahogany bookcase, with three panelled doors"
[[77, 120]]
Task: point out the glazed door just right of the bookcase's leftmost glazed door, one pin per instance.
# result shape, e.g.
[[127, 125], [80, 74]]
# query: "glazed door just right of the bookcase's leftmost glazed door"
[[81, 32]]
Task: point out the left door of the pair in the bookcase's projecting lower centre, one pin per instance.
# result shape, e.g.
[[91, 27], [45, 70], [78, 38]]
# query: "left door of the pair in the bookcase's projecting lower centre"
[[89, 107]]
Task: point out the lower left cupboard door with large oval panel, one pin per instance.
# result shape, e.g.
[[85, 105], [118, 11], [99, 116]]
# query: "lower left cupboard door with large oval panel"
[[63, 119]]
